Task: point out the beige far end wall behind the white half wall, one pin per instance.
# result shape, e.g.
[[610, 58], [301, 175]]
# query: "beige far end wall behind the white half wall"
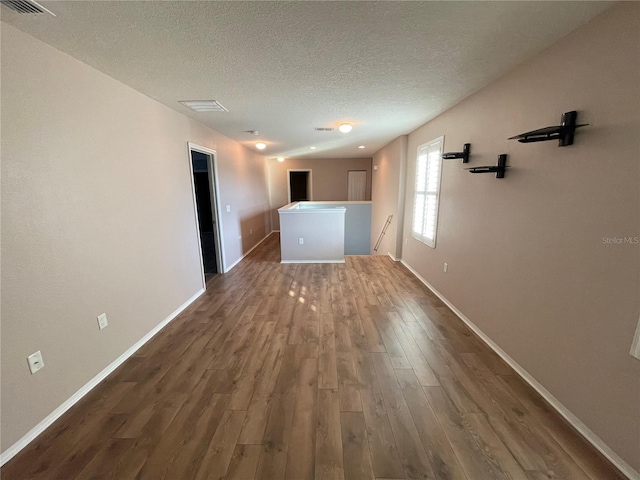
[[329, 179]]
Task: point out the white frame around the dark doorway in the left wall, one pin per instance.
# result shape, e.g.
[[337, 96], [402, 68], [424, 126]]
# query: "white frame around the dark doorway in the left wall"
[[212, 167]]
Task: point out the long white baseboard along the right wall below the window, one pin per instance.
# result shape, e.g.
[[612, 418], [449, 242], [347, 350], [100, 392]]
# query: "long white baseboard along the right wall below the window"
[[585, 431]]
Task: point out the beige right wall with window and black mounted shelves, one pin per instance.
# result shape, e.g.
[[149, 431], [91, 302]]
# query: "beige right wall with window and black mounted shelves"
[[527, 262]]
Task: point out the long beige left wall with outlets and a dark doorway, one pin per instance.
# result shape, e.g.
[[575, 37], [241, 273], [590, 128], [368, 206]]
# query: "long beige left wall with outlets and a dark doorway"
[[97, 216]]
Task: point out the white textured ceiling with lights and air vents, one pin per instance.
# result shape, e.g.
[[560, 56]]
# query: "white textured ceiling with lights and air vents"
[[284, 68]]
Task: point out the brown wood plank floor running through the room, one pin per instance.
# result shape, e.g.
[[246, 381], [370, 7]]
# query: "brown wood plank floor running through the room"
[[352, 371]]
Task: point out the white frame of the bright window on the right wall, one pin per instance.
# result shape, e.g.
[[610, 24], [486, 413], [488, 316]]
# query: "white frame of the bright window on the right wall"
[[424, 192]]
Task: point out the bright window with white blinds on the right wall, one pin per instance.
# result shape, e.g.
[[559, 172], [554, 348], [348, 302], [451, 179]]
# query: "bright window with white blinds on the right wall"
[[425, 205]]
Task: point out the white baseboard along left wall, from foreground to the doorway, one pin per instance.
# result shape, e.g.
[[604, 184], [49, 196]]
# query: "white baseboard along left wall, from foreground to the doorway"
[[10, 452]]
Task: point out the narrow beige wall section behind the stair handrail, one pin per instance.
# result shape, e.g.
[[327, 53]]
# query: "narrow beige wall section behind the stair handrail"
[[387, 195]]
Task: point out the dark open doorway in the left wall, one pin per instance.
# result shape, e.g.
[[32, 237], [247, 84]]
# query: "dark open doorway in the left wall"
[[204, 192]]
